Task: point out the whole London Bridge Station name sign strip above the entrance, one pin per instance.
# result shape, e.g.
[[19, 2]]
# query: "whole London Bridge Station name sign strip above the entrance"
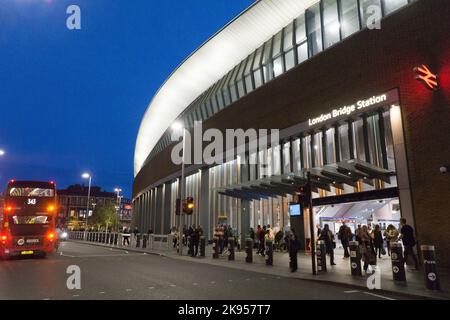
[[359, 106]]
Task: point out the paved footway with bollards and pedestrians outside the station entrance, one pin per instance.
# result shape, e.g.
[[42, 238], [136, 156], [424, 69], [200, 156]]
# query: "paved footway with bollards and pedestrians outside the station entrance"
[[336, 275]]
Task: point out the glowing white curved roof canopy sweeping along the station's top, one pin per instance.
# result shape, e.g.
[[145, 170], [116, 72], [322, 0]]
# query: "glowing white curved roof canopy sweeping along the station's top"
[[211, 62]]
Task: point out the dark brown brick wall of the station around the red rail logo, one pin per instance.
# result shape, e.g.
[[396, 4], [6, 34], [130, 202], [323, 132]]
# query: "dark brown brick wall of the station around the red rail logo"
[[369, 62]]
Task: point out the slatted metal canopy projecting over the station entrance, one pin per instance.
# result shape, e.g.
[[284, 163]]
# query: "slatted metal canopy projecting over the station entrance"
[[336, 175]]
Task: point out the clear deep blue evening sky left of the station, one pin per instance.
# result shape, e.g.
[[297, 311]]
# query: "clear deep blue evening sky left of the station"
[[72, 101]]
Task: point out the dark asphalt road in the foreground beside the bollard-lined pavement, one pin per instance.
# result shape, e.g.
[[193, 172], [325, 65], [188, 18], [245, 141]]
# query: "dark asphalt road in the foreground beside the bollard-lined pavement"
[[116, 274]]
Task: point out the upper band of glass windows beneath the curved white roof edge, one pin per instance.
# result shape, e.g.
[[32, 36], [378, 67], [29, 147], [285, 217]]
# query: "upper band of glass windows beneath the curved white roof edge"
[[321, 26]]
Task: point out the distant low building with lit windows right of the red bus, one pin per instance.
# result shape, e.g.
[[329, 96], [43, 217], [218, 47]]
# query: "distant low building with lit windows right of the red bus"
[[73, 202]]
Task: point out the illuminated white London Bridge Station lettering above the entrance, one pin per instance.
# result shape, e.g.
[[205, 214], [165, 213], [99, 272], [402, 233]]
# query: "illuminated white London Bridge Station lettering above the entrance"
[[348, 110]]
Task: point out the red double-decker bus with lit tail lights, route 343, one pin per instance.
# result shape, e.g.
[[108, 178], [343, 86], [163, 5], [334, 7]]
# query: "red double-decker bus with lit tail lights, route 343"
[[28, 219]]
